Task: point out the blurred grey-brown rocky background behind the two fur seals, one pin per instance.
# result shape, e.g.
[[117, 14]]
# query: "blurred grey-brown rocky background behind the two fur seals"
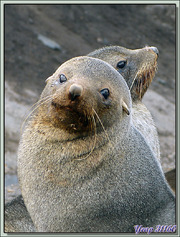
[[39, 38]]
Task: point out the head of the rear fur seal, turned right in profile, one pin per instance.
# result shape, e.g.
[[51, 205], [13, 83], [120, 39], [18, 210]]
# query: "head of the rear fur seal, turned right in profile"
[[137, 66]]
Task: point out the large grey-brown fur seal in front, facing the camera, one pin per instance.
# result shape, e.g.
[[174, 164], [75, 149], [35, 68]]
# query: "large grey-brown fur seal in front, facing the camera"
[[81, 165]]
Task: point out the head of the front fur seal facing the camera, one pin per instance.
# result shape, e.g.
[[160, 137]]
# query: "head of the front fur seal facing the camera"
[[77, 95]]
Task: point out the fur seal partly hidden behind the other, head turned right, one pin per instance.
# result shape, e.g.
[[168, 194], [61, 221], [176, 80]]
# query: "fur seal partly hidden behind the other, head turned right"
[[138, 69]]
